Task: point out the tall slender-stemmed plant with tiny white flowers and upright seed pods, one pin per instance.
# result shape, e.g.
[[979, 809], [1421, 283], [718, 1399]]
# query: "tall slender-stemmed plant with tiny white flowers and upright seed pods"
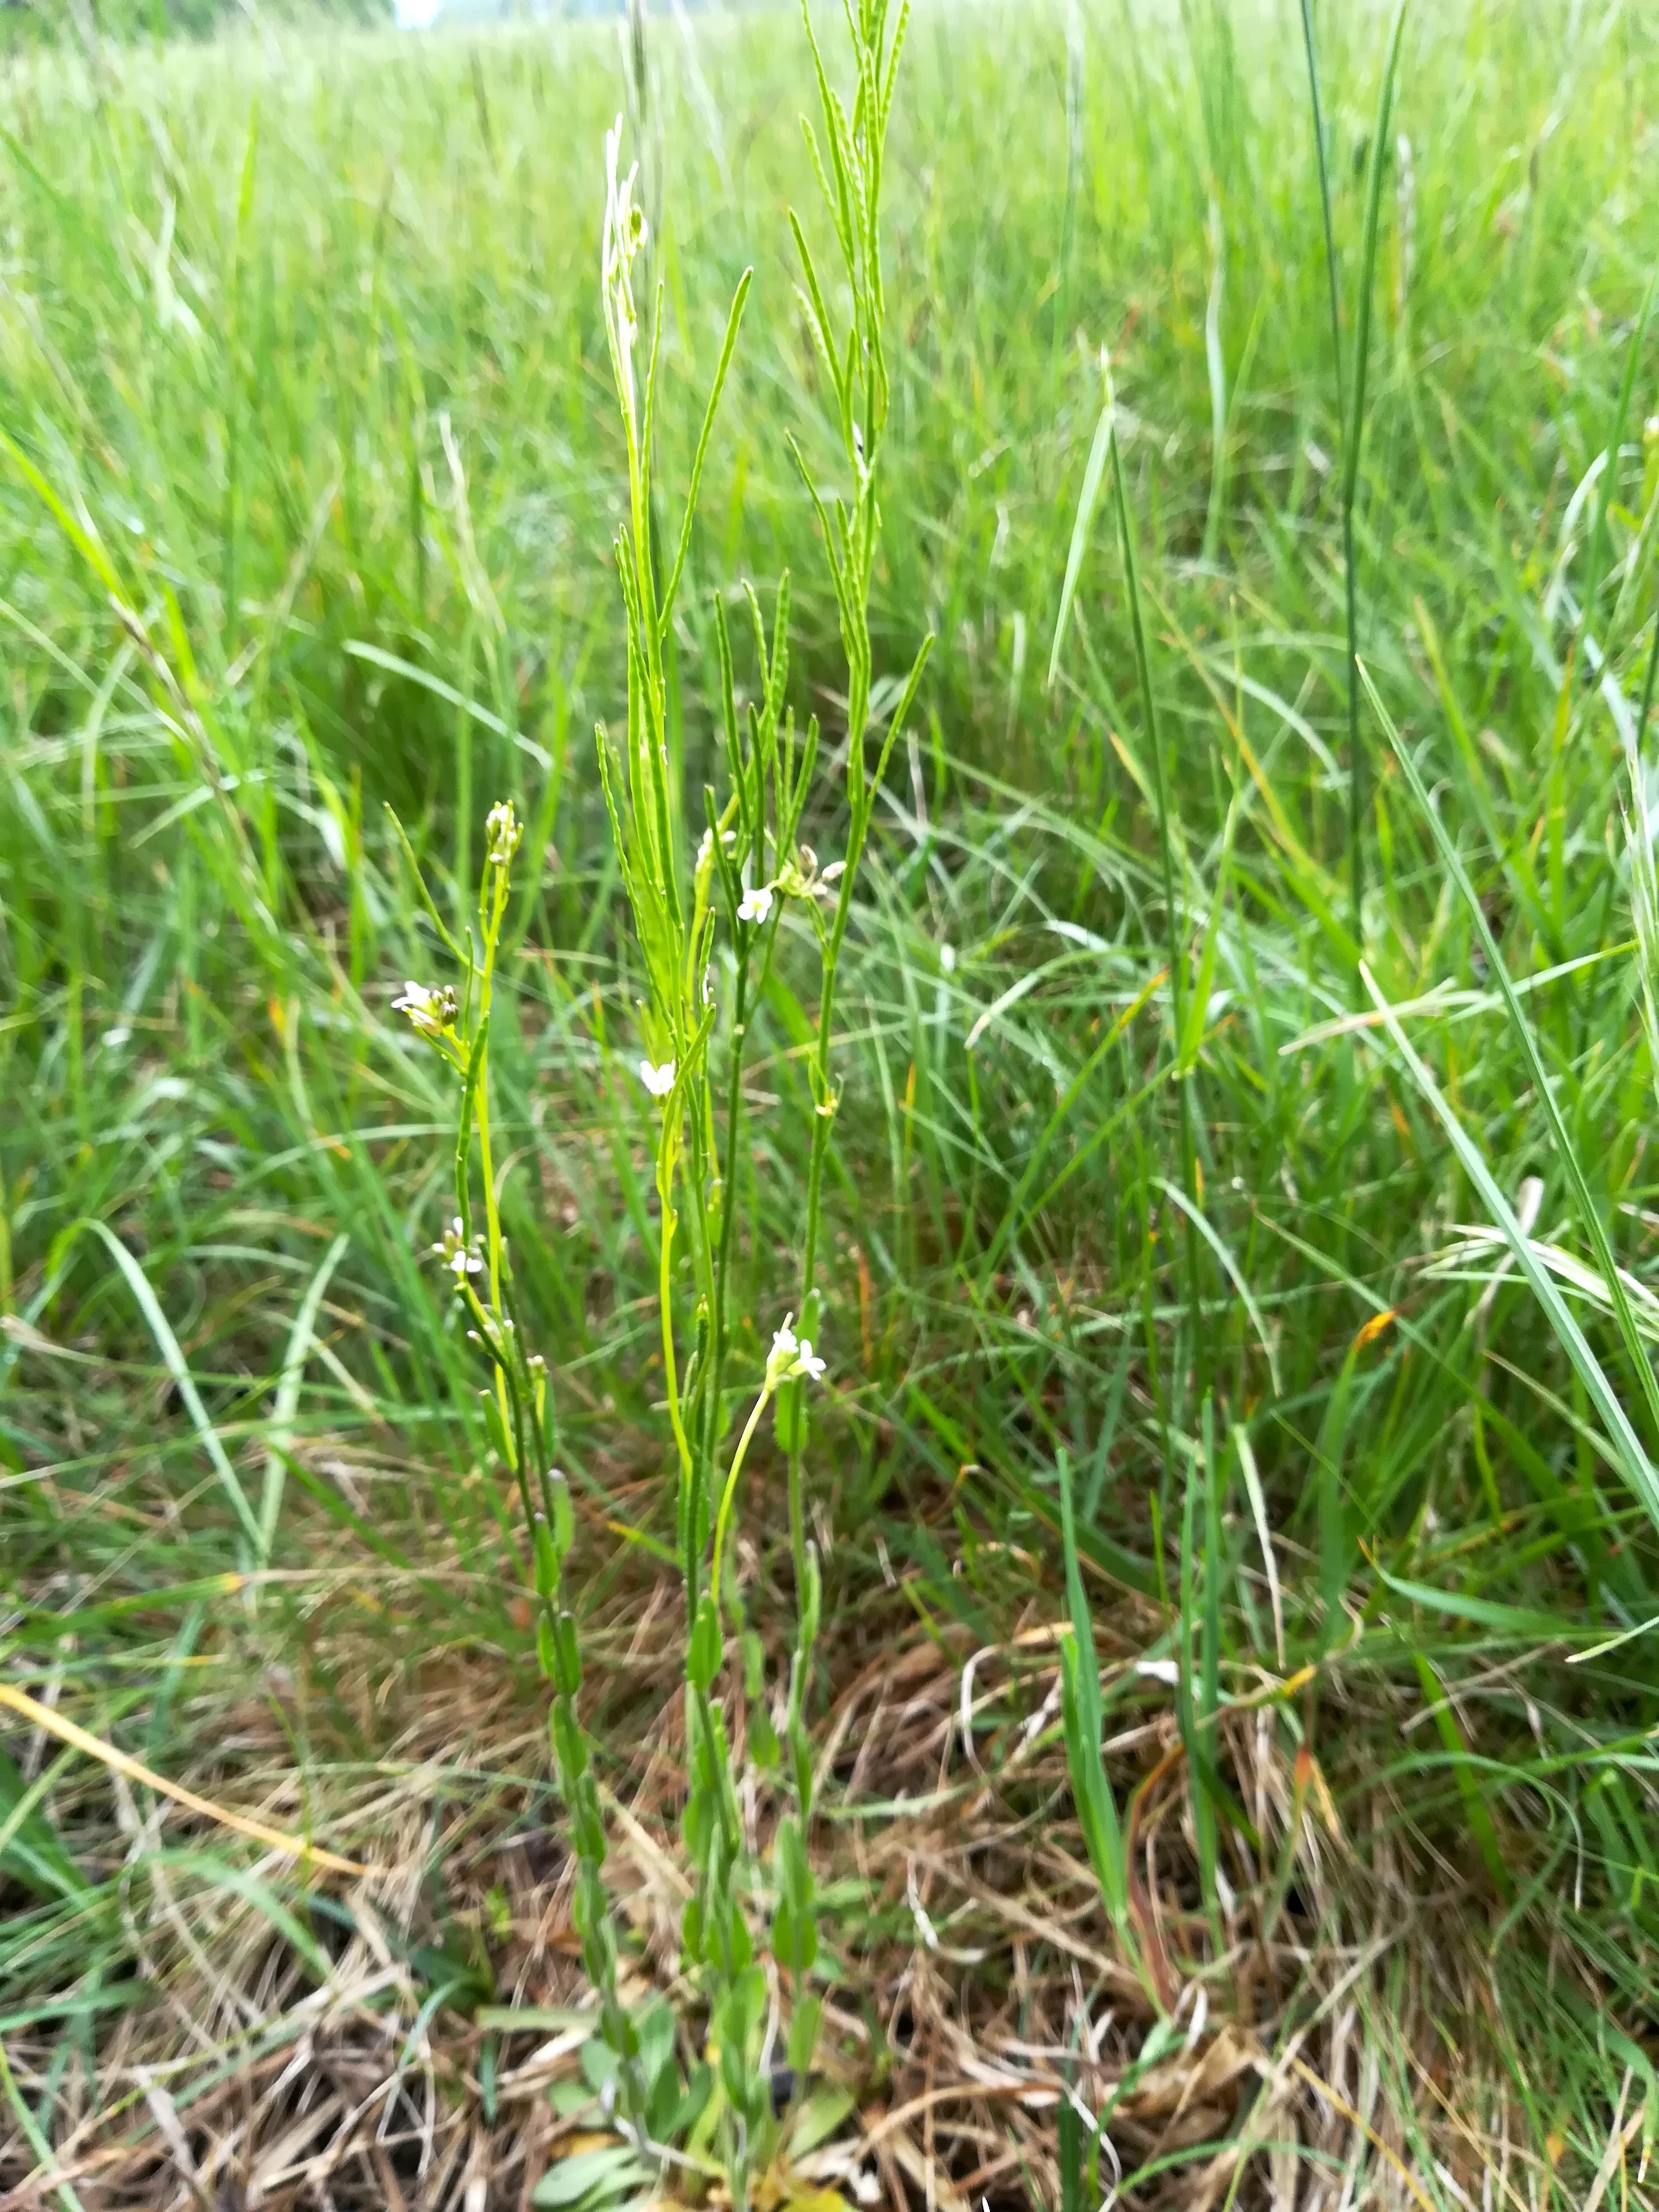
[[744, 866]]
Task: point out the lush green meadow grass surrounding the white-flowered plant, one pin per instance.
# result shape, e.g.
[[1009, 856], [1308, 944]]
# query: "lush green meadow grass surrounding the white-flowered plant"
[[306, 508]]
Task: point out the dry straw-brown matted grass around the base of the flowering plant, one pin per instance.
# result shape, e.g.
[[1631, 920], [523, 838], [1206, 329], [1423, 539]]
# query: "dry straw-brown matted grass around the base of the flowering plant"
[[979, 1985]]
